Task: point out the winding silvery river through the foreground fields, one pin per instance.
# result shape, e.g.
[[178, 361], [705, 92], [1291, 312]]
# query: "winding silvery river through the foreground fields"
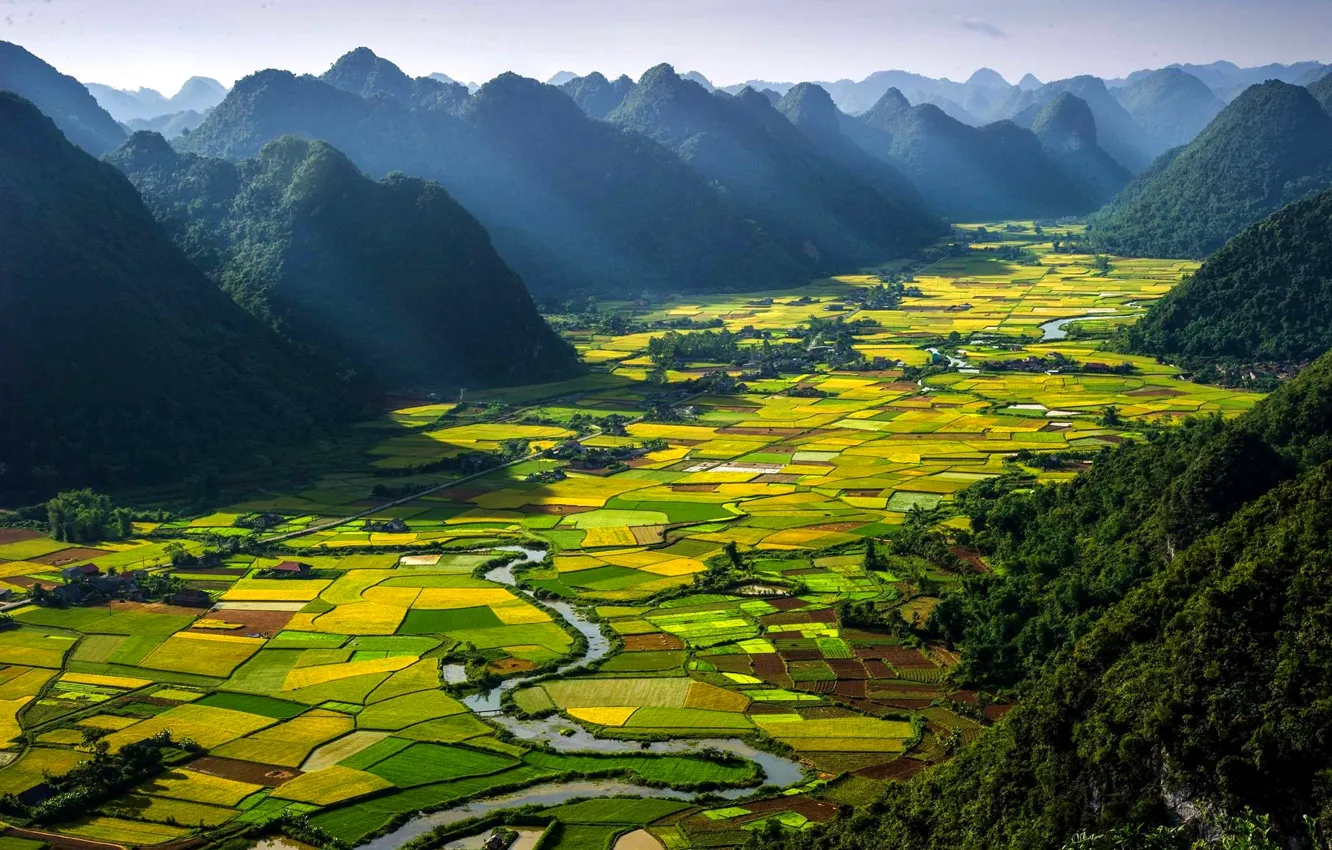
[[553, 732]]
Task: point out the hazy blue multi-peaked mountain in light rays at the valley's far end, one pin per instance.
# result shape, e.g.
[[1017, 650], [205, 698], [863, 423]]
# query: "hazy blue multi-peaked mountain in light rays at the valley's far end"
[[969, 174]]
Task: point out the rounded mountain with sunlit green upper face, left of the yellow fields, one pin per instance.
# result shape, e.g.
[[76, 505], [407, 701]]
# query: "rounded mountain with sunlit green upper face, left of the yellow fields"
[[392, 279]]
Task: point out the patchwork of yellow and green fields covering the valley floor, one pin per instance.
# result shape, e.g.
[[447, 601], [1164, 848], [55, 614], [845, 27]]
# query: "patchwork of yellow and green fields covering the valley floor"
[[318, 693]]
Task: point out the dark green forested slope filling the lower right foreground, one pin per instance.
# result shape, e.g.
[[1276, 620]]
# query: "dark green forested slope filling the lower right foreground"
[[1158, 612]]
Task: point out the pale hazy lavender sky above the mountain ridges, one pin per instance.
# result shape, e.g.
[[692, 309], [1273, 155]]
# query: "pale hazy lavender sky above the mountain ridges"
[[159, 43]]
